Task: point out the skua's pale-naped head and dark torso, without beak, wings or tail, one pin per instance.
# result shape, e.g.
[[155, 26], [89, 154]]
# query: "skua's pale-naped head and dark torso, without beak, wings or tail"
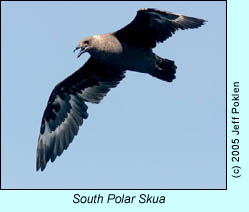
[[109, 50]]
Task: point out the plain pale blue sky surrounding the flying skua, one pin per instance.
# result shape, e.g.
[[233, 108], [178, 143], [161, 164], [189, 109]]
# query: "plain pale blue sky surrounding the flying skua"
[[146, 133]]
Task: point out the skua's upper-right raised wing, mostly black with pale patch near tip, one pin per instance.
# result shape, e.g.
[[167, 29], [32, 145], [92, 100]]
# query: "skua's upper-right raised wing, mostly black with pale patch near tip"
[[151, 26]]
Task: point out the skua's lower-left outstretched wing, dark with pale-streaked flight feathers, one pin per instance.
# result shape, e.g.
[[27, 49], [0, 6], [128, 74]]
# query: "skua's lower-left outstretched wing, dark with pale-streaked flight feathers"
[[66, 108]]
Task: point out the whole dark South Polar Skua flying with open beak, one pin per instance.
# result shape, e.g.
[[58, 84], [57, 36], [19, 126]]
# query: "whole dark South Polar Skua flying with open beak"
[[111, 55]]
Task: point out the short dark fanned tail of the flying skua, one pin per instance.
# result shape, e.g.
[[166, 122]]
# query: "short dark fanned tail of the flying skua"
[[165, 69]]
